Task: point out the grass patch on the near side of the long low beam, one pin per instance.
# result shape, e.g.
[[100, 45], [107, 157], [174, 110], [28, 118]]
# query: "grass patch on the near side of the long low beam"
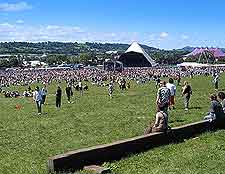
[[204, 154]]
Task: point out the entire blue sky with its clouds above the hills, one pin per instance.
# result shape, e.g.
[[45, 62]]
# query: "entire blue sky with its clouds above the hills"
[[158, 23]]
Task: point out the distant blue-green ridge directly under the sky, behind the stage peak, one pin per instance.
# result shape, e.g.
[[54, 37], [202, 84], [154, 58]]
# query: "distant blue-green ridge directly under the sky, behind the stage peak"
[[64, 48]]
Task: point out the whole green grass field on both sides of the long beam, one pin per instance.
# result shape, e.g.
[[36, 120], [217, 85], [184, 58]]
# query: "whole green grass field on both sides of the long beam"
[[27, 140]]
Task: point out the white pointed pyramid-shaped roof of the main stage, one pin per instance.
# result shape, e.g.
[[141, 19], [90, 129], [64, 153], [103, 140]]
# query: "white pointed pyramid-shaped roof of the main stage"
[[135, 47]]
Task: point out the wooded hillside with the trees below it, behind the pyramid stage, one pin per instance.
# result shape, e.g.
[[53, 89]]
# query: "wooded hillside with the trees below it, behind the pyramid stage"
[[71, 53]]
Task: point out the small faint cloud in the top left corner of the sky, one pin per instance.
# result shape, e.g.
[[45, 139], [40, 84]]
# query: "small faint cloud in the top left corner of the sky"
[[19, 6]]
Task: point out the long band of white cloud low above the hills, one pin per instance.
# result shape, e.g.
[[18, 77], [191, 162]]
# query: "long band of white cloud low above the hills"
[[61, 33]]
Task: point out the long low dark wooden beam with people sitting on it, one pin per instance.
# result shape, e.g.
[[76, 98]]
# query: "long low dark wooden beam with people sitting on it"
[[75, 160]]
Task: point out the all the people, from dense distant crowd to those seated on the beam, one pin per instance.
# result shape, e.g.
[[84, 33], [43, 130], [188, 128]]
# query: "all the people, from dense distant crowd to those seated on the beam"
[[75, 78]]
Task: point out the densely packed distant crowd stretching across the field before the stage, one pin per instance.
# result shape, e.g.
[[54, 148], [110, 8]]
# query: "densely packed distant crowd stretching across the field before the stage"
[[24, 77]]
